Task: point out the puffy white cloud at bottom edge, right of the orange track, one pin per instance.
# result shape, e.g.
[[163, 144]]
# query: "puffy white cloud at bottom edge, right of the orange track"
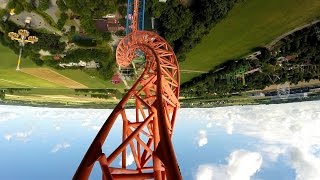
[[241, 166]]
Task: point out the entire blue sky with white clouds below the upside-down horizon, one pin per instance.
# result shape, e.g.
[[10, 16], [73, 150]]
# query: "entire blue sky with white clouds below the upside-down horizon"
[[260, 142]]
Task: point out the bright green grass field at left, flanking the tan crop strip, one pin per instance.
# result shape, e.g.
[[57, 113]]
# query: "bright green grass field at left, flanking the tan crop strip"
[[11, 78]]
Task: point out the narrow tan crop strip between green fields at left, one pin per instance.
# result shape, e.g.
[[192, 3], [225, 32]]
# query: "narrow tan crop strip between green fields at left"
[[49, 75]]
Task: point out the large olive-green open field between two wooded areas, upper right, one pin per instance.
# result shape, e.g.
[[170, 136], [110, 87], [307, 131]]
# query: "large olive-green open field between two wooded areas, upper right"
[[248, 25]]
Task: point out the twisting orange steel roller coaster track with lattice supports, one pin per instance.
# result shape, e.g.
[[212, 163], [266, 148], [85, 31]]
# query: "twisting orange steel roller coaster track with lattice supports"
[[147, 135]]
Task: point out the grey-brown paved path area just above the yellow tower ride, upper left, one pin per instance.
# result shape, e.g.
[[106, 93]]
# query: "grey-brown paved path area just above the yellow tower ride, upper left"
[[37, 21]]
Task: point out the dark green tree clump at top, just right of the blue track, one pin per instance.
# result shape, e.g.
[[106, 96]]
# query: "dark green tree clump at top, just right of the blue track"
[[183, 26]]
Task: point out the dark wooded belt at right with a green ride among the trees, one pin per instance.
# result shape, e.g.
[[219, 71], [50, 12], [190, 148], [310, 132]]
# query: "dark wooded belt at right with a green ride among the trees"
[[303, 45]]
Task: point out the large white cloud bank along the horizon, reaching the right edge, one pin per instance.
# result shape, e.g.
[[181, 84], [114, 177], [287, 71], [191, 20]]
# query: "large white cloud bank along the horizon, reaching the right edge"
[[291, 129]]
